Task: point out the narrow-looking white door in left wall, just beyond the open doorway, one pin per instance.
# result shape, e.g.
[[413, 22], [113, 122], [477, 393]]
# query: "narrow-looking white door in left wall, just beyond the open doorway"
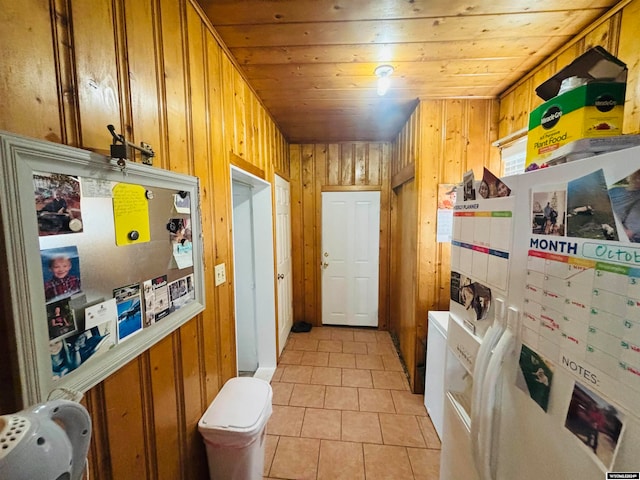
[[283, 259]]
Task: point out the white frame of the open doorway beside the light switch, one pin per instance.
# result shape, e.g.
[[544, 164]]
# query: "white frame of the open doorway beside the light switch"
[[264, 271]]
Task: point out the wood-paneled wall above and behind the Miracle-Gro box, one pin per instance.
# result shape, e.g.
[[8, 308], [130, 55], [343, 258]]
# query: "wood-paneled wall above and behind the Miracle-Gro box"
[[617, 32]]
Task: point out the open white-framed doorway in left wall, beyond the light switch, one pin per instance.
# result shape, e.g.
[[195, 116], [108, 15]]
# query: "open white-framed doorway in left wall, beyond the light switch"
[[253, 262]]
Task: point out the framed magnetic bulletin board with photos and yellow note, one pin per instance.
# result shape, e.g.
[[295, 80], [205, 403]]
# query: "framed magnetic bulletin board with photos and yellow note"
[[104, 260]]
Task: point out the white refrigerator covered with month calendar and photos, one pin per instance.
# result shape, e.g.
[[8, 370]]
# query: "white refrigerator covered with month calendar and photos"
[[543, 364]]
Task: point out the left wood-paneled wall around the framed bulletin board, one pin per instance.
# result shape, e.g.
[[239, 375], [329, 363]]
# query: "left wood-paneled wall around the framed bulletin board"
[[156, 70]]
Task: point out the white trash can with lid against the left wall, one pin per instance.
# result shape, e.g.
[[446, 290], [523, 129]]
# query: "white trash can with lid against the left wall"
[[234, 429]]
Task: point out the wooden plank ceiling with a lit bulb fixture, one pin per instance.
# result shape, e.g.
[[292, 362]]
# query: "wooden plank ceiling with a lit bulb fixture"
[[311, 62]]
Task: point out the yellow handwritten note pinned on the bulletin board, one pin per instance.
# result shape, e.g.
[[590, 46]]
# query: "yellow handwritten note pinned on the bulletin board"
[[130, 214]]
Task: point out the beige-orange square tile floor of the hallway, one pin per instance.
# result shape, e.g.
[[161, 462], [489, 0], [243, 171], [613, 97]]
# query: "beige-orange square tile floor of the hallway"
[[342, 409]]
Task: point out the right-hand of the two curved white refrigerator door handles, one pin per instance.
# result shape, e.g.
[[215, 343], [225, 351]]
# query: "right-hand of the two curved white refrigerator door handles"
[[494, 372]]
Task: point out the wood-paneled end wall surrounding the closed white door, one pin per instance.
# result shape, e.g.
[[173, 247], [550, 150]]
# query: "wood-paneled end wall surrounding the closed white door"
[[333, 167]]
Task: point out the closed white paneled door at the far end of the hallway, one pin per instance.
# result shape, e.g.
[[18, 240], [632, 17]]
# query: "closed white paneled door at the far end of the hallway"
[[350, 258]]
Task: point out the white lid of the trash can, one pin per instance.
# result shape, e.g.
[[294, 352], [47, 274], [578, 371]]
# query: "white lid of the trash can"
[[243, 405]]
